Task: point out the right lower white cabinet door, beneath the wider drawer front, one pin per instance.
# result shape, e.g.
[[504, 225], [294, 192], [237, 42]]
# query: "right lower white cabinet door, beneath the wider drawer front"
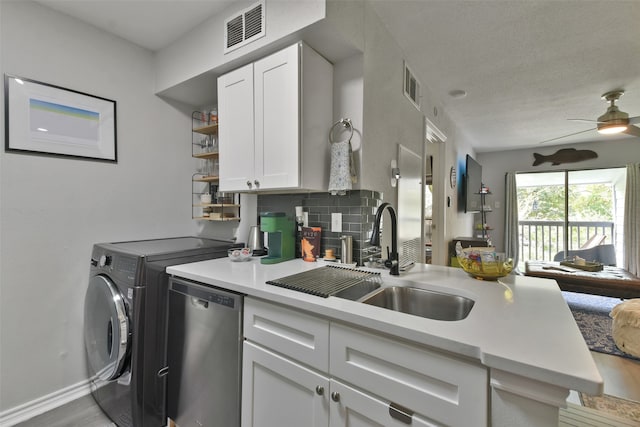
[[353, 408]]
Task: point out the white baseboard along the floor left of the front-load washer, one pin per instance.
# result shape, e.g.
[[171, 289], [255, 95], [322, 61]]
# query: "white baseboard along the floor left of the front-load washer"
[[43, 404]]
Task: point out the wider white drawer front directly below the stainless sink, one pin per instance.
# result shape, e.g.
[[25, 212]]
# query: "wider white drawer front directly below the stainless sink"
[[441, 388]]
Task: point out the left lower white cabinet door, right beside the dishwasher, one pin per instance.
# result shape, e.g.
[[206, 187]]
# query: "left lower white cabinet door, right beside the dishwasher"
[[277, 392]]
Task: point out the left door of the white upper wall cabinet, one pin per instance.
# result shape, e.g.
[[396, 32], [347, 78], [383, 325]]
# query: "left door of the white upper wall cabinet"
[[236, 131]]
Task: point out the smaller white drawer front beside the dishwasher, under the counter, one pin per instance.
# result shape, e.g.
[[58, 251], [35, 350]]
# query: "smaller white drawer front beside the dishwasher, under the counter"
[[298, 335]]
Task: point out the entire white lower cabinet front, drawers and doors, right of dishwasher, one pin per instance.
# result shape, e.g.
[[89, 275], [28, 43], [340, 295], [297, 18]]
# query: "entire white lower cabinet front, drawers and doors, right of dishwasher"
[[370, 380]]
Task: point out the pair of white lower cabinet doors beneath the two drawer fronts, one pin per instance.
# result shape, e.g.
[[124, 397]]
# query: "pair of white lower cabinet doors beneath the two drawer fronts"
[[279, 392]]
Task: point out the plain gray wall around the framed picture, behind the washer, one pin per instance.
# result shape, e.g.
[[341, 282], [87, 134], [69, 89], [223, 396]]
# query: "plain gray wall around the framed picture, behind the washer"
[[54, 209]]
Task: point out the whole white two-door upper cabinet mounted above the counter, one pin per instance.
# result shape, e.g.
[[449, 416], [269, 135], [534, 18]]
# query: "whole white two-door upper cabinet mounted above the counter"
[[275, 115]]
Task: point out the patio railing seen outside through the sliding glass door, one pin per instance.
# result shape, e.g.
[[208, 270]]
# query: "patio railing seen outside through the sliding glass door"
[[541, 240]]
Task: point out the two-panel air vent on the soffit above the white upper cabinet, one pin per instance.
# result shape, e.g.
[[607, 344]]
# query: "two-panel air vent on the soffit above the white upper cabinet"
[[244, 27]]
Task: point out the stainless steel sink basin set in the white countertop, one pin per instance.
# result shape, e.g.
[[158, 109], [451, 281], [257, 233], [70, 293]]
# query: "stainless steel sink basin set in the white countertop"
[[422, 302]]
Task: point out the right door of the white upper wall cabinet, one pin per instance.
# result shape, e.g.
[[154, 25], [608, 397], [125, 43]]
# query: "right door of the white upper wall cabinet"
[[277, 119]]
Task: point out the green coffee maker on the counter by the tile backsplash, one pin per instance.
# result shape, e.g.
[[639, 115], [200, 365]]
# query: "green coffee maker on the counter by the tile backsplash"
[[281, 237]]
